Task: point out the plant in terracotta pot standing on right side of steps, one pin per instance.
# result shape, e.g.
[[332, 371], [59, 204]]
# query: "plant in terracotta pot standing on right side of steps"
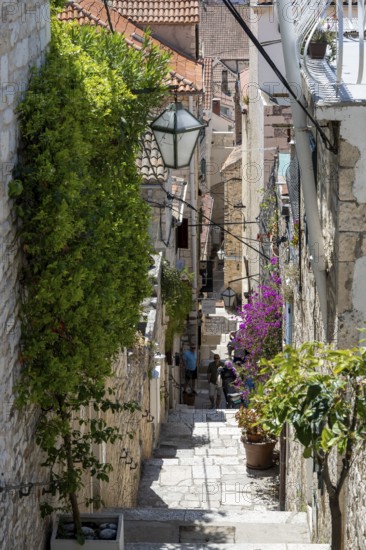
[[258, 443]]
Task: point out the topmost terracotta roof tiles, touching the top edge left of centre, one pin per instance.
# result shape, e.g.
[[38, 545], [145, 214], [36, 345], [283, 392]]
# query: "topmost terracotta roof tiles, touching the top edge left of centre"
[[158, 11]]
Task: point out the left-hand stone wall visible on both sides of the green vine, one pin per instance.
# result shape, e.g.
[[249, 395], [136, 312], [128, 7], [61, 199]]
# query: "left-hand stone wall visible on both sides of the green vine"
[[24, 35]]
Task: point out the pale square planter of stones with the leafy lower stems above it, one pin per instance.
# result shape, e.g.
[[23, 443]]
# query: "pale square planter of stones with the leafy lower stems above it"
[[69, 440]]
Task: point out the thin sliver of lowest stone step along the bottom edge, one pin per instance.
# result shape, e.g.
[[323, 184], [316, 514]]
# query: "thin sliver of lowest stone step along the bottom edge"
[[244, 546]]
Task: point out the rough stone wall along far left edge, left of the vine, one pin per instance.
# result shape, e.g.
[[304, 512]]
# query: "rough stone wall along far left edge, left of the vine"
[[24, 35]]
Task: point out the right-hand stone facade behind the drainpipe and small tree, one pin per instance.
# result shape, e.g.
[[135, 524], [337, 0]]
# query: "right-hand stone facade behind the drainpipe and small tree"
[[343, 216]]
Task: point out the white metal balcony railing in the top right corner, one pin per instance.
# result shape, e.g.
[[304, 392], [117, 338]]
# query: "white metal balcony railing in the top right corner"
[[348, 21]]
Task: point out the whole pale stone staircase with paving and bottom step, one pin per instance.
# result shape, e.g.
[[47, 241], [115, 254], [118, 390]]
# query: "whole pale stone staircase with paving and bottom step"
[[196, 493]]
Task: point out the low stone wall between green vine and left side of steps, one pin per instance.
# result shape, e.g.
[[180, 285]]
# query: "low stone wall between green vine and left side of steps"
[[141, 375]]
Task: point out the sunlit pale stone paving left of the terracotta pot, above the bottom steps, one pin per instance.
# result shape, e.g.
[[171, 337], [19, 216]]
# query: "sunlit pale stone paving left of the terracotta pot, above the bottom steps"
[[200, 464]]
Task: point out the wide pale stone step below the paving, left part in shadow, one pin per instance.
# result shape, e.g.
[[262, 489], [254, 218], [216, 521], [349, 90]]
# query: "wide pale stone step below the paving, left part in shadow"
[[200, 527]]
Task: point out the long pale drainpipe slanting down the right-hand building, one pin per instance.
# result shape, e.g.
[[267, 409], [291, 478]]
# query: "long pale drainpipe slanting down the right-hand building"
[[316, 244]]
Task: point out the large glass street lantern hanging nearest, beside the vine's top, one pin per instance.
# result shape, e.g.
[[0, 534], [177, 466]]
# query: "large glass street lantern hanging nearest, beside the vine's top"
[[176, 132]]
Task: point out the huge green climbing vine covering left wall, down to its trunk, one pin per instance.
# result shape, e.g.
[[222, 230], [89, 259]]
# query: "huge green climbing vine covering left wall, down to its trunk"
[[84, 237]]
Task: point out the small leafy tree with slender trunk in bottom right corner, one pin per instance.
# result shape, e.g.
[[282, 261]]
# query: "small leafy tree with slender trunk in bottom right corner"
[[320, 392]]
